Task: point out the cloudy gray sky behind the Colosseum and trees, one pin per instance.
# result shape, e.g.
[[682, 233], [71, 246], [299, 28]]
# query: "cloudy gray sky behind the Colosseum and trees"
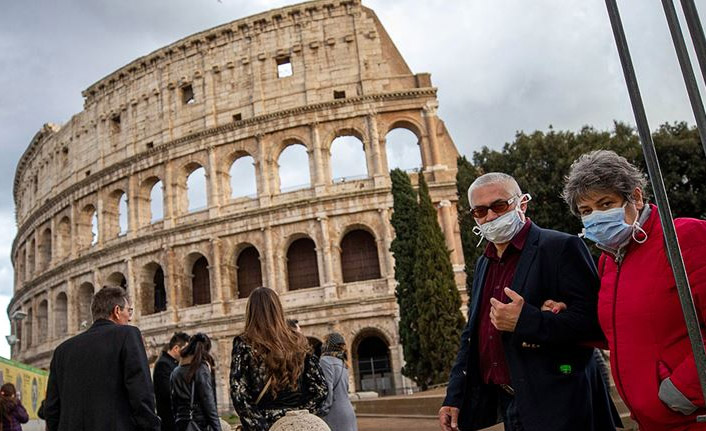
[[500, 66]]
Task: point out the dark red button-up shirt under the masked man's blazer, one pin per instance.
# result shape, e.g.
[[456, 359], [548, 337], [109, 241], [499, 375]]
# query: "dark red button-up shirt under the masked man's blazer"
[[501, 270]]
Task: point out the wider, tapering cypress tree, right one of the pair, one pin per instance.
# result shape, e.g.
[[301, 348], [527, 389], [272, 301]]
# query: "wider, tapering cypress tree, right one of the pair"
[[439, 318]]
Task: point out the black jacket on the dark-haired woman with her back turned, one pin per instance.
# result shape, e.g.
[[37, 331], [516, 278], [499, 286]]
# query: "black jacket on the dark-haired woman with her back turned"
[[205, 409]]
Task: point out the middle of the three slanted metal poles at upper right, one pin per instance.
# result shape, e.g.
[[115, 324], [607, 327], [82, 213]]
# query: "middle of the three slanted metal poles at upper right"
[[686, 69]]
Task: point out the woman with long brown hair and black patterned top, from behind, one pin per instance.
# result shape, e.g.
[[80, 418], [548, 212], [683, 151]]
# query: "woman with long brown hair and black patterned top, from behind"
[[272, 369]]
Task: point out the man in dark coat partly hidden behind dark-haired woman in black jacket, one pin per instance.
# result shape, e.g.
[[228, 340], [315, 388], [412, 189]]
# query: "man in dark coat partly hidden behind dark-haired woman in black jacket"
[[162, 371]]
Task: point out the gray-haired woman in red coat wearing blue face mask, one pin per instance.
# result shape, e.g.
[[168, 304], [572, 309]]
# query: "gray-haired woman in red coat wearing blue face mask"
[[638, 307]]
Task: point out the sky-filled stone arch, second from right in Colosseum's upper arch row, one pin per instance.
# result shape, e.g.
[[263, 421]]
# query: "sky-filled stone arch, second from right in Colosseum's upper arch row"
[[348, 159]]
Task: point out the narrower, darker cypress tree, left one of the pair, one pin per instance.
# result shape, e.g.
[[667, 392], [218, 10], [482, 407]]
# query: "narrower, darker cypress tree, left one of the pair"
[[404, 221]]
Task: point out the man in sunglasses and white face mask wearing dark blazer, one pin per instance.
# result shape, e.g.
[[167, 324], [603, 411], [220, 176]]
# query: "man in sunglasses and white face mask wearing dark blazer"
[[517, 363]]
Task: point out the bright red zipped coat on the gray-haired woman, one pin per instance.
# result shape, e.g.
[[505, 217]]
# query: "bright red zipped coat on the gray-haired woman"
[[641, 316]]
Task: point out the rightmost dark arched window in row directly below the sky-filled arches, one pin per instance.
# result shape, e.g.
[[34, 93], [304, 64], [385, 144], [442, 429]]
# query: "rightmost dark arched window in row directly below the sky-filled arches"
[[359, 257]]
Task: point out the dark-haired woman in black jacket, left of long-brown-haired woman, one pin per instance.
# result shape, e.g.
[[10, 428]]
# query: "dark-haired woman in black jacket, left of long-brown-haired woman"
[[194, 380]]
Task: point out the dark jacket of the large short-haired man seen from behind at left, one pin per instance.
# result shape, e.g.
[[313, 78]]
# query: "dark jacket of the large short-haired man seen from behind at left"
[[99, 380]]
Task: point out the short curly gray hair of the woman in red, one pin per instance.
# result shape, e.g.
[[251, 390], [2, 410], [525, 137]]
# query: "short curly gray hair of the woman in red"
[[601, 171]]
